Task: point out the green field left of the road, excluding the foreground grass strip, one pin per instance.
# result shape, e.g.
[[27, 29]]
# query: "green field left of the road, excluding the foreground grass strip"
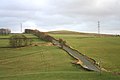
[[33, 59]]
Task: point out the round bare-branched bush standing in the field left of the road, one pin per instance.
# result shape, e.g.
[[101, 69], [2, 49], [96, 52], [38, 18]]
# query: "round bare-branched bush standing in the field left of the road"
[[19, 41]]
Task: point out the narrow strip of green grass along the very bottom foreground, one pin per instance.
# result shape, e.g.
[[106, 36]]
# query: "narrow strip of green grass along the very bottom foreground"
[[63, 76]]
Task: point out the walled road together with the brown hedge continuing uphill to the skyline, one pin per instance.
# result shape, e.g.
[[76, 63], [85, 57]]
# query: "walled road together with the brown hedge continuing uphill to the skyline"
[[83, 60]]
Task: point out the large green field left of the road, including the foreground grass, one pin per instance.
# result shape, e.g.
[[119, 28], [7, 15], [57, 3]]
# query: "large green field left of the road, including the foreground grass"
[[43, 62]]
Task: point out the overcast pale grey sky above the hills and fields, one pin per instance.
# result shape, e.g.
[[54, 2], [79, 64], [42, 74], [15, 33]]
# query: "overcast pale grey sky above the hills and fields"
[[75, 15]]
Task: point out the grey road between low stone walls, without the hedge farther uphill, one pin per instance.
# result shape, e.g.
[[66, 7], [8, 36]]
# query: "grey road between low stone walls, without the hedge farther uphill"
[[85, 61]]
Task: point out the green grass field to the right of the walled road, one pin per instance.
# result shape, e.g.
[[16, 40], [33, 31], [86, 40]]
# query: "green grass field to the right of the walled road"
[[103, 49]]
